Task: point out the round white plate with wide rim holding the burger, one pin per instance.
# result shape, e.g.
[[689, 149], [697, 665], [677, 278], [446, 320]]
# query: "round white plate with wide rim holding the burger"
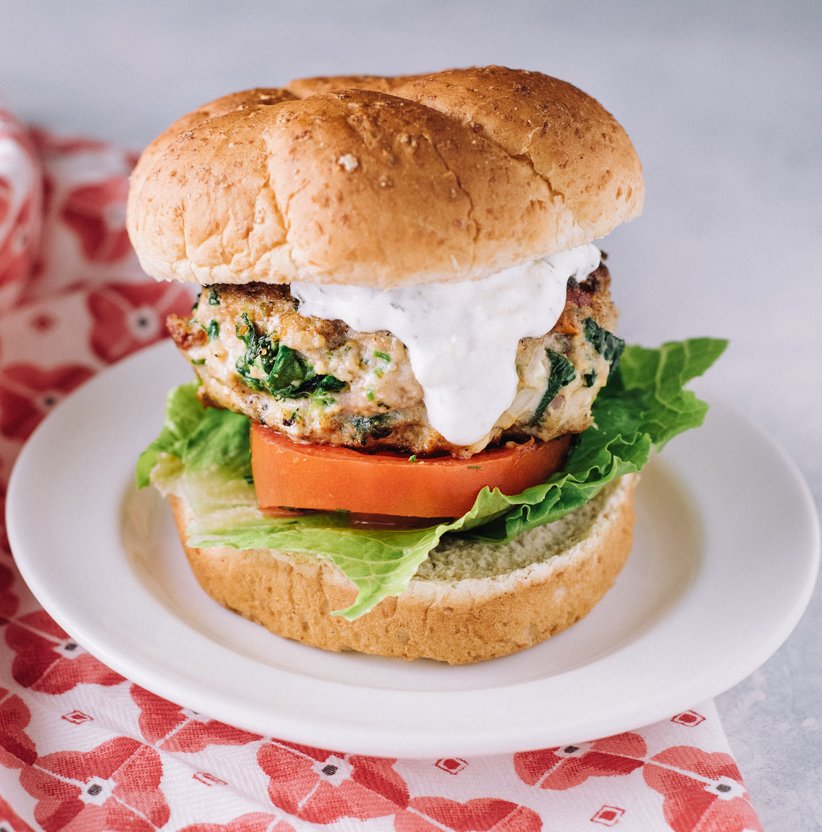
[[726, 554]]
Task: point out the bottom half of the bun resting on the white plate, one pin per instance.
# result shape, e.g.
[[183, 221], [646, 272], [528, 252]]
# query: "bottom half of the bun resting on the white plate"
[[468, 602]]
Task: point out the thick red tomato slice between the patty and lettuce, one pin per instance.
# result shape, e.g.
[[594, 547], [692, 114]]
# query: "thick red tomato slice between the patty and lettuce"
[[330, 478]]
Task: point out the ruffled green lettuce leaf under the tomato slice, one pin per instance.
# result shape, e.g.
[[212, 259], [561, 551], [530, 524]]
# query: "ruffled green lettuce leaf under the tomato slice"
[[202, 455]]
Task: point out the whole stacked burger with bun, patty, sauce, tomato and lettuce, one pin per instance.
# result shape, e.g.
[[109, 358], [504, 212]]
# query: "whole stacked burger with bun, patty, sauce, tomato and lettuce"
[[413, 431]]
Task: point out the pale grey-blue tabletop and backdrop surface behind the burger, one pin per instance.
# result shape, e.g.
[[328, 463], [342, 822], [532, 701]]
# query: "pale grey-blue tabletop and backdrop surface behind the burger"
[[724, 103]]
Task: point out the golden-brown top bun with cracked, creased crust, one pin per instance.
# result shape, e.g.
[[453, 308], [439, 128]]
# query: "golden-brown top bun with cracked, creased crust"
[[381, 181]]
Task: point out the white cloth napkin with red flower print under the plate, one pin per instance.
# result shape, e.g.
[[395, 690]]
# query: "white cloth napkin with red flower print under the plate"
[[82, 748]]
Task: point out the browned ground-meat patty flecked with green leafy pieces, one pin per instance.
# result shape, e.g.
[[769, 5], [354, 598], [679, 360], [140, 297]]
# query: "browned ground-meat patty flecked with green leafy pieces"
[[321, 381]]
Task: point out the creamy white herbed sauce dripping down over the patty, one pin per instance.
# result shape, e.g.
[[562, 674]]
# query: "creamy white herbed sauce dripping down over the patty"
[[461, 337]]
